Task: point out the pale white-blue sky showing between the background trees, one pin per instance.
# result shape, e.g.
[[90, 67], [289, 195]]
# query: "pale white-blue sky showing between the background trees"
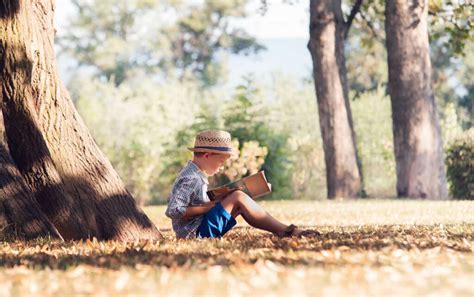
[[282, 29]]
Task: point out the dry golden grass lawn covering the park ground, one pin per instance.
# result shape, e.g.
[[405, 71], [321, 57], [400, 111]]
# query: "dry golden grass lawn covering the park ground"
[[367, 247]]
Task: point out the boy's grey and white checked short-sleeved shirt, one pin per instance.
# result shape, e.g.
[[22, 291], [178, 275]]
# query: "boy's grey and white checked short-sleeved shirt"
[[189, 189]]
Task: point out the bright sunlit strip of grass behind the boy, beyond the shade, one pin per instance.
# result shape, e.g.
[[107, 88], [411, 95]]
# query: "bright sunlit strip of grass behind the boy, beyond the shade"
[[357, 212]]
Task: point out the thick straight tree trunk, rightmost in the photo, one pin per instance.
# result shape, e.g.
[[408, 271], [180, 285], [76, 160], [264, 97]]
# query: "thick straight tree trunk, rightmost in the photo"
[[416, 129]]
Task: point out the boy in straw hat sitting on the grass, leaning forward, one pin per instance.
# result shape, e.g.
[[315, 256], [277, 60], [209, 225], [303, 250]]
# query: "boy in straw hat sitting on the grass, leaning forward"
[[194, 215]]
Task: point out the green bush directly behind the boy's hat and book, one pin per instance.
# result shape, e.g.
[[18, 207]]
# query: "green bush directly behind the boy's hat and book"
[[243, 116]]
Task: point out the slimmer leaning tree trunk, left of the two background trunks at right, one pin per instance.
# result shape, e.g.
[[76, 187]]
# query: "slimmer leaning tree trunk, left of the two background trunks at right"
[[326, 44]]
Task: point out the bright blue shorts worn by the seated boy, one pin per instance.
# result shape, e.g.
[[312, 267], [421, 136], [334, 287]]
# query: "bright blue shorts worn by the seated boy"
[[215, 223]]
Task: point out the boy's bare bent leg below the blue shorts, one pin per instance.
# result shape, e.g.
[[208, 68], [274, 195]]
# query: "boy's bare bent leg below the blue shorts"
[[239, 203]]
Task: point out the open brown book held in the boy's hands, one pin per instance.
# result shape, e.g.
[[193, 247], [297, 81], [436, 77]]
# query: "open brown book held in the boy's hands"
[[255, 185]]
